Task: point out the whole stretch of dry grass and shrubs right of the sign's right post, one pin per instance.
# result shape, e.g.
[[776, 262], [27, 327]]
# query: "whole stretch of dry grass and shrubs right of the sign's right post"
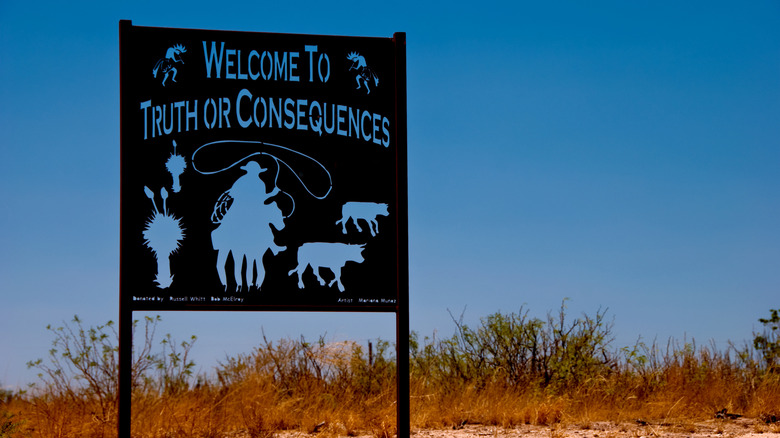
[[511, 367]]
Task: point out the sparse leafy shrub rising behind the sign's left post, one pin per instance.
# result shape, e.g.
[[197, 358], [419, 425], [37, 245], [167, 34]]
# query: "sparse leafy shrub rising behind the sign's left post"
[[81, 371]]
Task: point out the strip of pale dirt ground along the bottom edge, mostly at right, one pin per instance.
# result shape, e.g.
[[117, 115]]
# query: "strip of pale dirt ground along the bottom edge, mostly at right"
[[742, 427]]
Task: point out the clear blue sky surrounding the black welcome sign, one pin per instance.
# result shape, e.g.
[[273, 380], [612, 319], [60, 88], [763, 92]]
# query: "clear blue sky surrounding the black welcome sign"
[[625, 155]]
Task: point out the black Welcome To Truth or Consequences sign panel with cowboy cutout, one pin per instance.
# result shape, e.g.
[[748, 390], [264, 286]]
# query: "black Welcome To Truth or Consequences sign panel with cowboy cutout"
[[260, 170]]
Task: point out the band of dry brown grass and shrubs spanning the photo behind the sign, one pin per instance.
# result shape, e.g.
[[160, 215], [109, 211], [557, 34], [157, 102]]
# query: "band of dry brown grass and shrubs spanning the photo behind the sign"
[[510, 372]]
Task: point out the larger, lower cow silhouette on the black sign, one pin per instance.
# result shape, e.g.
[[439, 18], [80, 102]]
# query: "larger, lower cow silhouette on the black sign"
[[332, 256]]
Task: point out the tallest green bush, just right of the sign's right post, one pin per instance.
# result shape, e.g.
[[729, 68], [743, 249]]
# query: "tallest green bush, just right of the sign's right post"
[[515, 351]]
